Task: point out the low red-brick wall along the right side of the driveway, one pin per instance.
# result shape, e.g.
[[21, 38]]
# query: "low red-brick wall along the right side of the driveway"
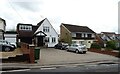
[[108, 52]]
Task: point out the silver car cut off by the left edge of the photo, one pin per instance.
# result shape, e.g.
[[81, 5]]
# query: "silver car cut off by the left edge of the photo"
[[6, 46]]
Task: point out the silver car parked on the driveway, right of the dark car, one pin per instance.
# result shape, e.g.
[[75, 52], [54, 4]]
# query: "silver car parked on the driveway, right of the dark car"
[[78, 48]]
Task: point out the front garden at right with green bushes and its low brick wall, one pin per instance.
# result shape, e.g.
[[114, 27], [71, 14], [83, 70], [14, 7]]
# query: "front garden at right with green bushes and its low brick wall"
[[111, 48]]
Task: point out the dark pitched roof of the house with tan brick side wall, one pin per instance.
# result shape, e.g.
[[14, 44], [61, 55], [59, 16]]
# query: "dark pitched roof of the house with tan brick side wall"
[[76, 28]]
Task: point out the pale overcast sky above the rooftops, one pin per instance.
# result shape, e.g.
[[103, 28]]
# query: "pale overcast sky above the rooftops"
[[98, 15]]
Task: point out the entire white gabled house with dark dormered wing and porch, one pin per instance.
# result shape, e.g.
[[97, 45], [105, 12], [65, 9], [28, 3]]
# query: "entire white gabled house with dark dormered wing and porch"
[[39, 34]]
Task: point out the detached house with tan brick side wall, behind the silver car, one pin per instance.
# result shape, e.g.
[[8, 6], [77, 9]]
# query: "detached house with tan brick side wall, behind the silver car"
[[76, 34]]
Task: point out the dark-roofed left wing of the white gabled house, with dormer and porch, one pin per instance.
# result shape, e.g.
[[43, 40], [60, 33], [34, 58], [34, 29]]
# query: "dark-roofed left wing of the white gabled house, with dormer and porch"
[[25, 33]]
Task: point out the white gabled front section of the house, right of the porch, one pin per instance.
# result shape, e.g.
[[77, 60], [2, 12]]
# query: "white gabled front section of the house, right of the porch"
[[46, 27]]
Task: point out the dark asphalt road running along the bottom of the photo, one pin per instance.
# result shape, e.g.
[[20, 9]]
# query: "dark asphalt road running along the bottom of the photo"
[[78, 68]]
